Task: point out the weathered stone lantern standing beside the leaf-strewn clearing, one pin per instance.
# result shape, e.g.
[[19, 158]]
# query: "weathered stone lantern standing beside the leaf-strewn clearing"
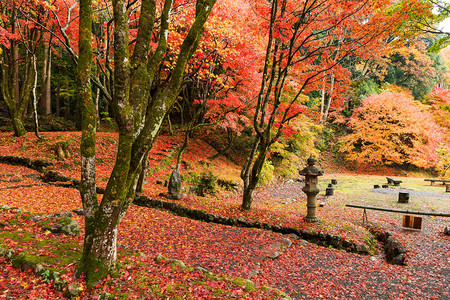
[[311, 190]]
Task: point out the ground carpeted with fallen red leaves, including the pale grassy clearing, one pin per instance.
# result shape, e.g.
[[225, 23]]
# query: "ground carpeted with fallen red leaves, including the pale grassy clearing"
[[303, 270]]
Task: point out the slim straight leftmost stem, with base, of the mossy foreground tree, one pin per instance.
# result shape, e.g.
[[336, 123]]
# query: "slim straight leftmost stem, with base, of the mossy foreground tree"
[[93, 257]]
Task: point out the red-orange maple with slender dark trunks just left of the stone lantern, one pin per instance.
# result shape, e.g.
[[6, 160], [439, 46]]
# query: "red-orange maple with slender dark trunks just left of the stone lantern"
[[305, 40]]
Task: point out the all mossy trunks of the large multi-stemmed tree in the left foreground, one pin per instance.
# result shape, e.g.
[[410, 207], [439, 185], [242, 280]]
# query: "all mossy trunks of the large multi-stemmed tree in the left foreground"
[[139, 115]]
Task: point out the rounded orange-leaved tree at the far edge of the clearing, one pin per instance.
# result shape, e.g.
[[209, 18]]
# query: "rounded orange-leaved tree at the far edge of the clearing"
[[392, 129]]
